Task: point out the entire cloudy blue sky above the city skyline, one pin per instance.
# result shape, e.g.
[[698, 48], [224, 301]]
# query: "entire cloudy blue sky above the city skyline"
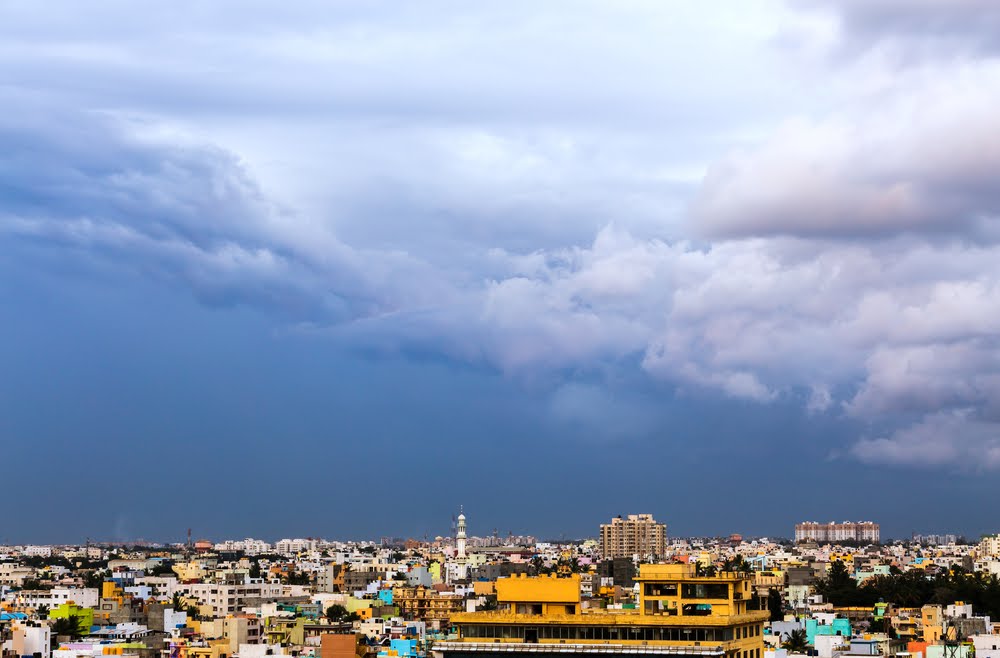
[[337, 268]]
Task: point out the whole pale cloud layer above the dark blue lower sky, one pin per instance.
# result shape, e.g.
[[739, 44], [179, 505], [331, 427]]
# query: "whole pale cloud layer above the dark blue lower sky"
[[540, 200]]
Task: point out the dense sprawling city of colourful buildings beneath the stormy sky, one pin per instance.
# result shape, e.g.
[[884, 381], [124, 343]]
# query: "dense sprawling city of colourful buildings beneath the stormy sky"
[[632, 590]]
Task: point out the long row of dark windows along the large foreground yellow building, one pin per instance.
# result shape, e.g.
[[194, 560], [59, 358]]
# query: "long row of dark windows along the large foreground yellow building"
[[633, 633]]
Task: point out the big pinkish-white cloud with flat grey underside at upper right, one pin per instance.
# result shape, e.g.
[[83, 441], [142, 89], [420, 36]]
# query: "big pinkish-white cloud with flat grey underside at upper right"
[[922, 158]]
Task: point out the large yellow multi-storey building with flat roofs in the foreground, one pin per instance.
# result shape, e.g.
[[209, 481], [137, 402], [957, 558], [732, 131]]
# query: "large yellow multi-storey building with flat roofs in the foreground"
[[679, 614]]
